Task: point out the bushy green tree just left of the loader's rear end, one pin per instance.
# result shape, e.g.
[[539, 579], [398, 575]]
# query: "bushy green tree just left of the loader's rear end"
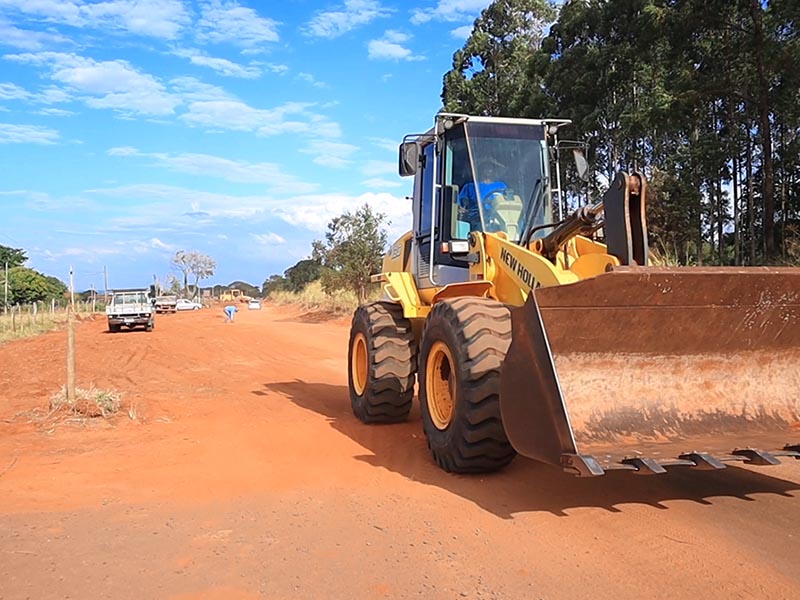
[[352, 250]]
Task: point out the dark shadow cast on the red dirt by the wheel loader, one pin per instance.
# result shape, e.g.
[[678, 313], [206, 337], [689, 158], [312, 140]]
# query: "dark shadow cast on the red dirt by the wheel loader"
[[525, 485]]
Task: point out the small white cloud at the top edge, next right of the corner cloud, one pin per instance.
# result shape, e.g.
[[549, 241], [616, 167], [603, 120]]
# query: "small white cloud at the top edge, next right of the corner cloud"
[[230, 22]]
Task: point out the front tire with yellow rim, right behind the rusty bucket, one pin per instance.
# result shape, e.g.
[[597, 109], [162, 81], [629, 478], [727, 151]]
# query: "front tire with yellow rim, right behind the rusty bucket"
[[463, 348]]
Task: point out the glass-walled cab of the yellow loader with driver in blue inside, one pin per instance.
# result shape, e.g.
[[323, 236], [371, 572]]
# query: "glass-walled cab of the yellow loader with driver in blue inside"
[[473, 174]]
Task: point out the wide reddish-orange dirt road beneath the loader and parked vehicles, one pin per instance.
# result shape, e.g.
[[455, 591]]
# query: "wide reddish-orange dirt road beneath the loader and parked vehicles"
[[245, 475]]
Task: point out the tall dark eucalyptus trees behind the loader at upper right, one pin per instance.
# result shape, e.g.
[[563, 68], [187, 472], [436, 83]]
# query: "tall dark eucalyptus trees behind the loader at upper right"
[[702, 96]]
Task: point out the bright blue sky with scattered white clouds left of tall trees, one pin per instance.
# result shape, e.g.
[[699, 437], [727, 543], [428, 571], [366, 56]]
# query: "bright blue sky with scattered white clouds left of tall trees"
[[130, 129]]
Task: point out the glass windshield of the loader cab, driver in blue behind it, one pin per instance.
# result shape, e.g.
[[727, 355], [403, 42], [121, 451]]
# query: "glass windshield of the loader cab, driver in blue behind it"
[[496, 174]]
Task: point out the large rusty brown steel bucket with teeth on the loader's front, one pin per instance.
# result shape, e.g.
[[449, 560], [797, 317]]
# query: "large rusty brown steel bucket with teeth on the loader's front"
[[644, 368]]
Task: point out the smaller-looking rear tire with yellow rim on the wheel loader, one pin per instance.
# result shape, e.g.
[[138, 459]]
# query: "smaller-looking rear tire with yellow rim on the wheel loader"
[[381, 363]]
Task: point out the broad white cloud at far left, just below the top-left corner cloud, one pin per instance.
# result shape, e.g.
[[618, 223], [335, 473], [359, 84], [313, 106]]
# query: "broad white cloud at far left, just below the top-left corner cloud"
[[106, 84]]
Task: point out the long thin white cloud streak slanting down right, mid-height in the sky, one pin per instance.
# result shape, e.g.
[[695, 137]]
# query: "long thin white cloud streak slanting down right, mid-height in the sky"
[[269, 174]]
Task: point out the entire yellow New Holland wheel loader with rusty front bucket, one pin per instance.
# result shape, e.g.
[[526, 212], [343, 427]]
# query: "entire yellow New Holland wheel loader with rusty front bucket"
[[528, 335]]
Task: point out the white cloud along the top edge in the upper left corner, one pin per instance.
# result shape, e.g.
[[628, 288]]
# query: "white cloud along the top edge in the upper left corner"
[[152, 18]]
